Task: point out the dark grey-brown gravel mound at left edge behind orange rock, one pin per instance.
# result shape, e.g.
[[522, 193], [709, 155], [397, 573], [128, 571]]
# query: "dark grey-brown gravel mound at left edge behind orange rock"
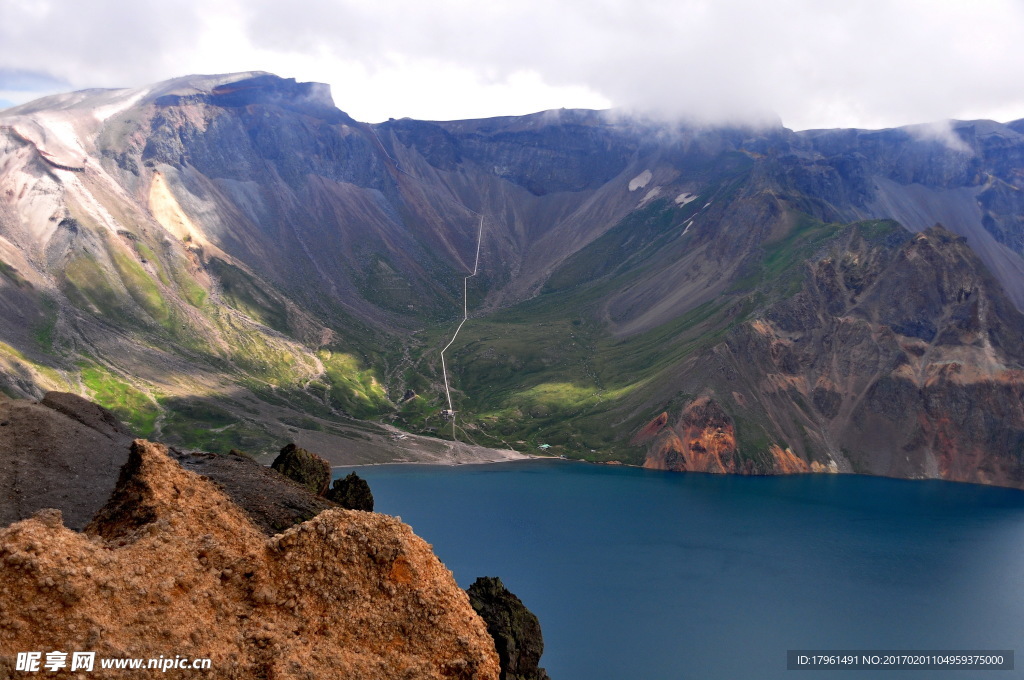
[[63, 452]]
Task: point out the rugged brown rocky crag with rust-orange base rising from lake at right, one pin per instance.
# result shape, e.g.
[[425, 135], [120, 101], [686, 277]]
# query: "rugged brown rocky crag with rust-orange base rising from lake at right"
[[900, 356]]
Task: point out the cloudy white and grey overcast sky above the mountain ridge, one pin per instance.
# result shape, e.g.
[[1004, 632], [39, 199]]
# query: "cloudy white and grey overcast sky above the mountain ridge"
[[812, 63]]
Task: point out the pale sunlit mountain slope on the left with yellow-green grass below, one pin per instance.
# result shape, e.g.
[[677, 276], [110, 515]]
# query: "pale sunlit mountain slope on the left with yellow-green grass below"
[[117, 291]]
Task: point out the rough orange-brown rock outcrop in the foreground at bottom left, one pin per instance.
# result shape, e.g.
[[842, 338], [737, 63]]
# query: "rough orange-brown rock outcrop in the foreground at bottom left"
[[173, 567]]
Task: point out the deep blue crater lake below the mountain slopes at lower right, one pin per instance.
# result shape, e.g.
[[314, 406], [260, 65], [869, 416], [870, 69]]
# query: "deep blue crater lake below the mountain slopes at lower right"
[[638, 575]]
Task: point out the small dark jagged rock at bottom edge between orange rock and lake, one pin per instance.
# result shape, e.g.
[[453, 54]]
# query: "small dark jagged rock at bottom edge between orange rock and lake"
[[515, 628]]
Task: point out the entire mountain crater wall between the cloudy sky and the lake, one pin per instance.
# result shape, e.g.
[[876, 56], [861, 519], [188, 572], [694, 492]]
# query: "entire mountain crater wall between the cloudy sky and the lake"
[[232, 262]]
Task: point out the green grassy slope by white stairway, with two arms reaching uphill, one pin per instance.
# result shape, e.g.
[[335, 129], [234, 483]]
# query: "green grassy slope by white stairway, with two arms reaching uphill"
[[547, 371]]
